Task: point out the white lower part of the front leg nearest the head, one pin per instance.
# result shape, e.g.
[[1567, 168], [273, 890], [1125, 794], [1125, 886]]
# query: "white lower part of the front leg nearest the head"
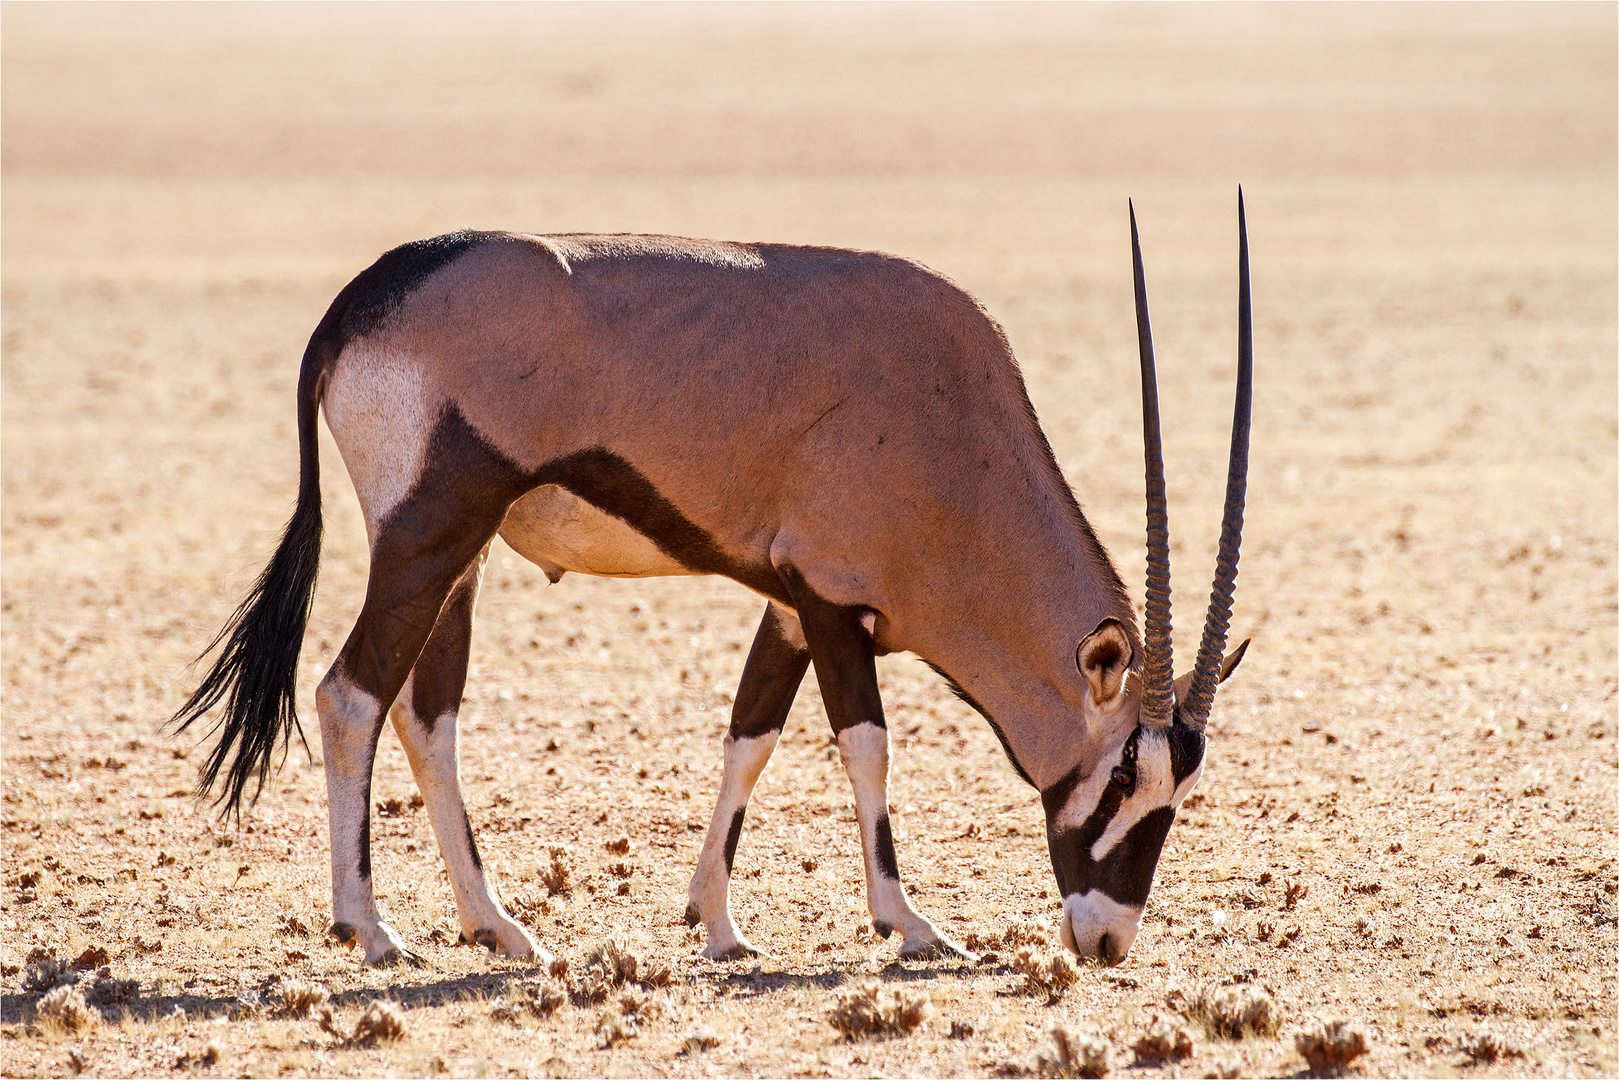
[[865, 754]]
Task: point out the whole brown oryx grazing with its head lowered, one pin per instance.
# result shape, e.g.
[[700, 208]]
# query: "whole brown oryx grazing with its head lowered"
[[844, 433]]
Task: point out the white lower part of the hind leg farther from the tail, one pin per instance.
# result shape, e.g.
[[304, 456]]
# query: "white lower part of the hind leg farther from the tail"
[[435, 760]]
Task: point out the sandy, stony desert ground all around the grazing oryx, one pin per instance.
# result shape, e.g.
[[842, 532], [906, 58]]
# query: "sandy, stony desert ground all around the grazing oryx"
[[1409, 814]]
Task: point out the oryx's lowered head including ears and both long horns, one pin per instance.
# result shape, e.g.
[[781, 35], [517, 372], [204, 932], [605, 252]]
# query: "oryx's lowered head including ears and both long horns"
[[1107, 822]]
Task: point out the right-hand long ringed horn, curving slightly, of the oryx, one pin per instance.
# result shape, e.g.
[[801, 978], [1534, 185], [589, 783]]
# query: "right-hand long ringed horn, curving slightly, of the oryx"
[[1200, 695]]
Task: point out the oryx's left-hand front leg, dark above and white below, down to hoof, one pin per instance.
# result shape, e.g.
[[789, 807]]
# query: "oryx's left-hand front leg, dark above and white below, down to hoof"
[[776, 666]]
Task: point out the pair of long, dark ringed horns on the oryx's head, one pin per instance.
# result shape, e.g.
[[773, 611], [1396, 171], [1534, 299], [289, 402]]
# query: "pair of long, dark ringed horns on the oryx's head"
[[1158, 697]]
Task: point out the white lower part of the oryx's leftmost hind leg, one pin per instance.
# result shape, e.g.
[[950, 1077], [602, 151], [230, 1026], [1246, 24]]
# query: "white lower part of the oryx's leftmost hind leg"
[[349, 716]]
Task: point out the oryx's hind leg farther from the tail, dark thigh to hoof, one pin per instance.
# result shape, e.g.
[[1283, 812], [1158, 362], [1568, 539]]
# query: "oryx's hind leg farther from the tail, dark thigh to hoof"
[[427, 720]]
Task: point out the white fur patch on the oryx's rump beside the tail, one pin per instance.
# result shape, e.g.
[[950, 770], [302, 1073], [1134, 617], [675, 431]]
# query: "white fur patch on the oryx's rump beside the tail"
[[381, 415]]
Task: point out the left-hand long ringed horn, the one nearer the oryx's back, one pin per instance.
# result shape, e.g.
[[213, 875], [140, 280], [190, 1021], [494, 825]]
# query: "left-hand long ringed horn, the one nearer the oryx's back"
[[1158, 679]]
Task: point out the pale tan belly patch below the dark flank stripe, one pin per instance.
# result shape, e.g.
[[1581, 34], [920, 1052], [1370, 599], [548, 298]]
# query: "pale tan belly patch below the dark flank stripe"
[[558, 532]]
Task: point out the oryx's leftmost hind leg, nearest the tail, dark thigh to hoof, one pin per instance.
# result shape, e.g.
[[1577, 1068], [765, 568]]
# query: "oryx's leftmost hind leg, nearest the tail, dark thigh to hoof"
[[420, 551]]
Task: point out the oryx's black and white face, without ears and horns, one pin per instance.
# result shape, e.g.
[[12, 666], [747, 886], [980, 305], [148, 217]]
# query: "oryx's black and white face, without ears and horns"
[[1107, 831]]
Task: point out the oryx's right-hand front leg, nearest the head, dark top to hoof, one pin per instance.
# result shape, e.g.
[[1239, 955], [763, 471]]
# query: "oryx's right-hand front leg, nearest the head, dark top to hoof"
[[846, 666]]
